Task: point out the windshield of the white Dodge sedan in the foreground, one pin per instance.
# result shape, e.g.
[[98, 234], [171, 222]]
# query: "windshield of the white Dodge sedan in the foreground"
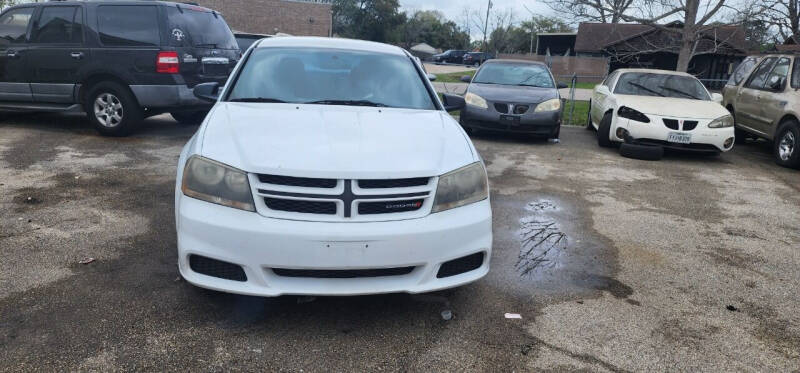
[[333, 77]]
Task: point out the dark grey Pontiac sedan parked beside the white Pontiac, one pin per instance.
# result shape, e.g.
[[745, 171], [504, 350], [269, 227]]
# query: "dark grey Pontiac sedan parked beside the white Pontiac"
[[513, 96]]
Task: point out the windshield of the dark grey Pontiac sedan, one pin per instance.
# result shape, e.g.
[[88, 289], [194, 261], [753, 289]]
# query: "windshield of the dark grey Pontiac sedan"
[[515, 74]]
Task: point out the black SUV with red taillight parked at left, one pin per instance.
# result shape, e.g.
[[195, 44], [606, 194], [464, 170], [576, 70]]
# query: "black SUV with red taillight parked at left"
[[119, 61]]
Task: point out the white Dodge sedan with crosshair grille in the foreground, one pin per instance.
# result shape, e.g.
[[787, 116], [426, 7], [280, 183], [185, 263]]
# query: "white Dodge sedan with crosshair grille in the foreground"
[[330, 167]]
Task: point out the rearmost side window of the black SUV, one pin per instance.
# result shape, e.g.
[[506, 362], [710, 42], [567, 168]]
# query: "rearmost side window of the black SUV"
[[128, 25]]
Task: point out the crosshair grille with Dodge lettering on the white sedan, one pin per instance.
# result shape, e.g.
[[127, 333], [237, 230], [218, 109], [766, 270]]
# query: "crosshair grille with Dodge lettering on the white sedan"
[[343, 200]]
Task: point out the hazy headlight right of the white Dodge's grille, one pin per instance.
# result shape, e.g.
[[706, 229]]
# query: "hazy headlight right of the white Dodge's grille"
[[461, 187]]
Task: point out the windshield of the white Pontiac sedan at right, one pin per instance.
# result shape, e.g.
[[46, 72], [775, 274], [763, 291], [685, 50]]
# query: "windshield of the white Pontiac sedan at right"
[[661, 85]]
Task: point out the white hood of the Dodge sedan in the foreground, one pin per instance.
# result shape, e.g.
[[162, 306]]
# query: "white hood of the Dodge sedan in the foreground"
[[335, 141]]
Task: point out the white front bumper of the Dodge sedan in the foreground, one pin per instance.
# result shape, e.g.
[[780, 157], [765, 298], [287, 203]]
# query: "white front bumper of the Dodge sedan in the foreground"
[[260, 244]]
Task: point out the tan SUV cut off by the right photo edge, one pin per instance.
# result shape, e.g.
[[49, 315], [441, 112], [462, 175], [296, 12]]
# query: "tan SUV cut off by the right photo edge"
[[766, 103]]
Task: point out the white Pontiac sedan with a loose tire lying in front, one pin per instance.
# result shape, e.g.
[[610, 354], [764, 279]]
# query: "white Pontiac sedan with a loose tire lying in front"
[[649, 110]]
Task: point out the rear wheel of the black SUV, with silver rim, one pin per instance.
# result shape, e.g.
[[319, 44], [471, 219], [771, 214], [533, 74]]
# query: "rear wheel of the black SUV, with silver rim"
[[112, 109]]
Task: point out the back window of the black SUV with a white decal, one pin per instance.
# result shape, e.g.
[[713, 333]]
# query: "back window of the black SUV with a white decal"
[[199, 28]]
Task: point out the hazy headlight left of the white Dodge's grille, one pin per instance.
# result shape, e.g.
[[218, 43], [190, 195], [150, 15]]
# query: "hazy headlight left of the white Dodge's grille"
[[217, 183]]
